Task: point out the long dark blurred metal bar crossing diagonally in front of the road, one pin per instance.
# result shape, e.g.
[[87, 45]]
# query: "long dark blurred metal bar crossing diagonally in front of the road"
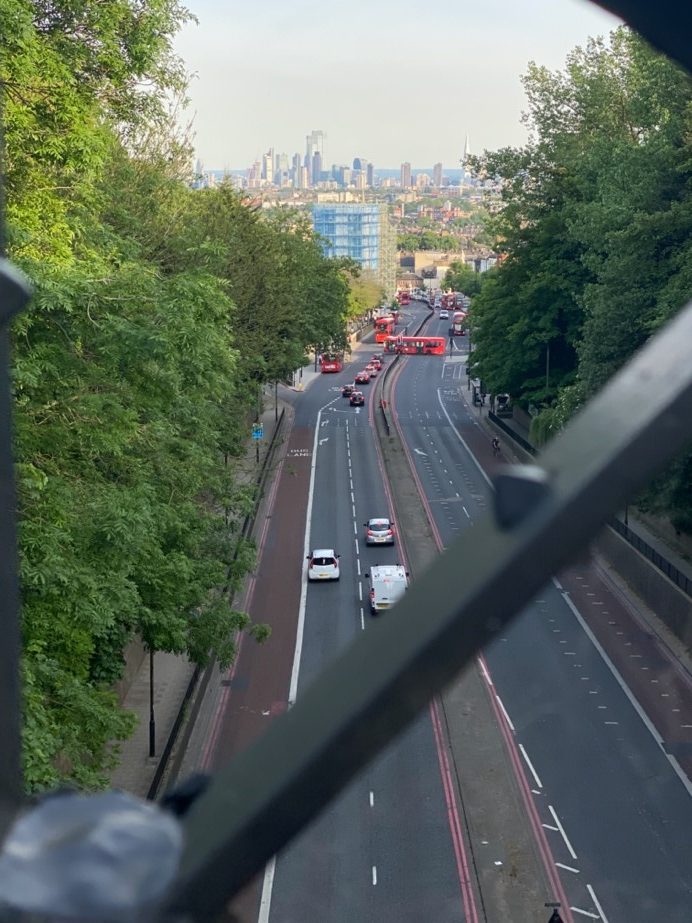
[[254, 806]]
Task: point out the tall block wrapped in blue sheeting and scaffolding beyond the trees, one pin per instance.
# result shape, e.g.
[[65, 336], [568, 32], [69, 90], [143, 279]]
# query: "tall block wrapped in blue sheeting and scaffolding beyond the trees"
[[362, 232]]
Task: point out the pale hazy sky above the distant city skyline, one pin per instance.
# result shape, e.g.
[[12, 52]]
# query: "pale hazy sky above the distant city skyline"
[[389, 81]]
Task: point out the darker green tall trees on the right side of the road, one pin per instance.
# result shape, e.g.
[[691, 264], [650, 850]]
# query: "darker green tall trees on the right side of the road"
[[595, 222]]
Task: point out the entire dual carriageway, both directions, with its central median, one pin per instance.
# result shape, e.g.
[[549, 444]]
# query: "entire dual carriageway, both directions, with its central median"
[[542, 776]]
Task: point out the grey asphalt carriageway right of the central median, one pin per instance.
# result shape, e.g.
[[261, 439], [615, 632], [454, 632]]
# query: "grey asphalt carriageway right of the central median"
[[615, 805]]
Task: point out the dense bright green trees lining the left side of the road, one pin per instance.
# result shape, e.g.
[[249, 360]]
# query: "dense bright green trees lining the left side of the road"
[[158, 313]]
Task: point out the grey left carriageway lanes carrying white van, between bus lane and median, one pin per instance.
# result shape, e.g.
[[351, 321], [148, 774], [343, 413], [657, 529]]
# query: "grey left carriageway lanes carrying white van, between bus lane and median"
[[384, 850]]
